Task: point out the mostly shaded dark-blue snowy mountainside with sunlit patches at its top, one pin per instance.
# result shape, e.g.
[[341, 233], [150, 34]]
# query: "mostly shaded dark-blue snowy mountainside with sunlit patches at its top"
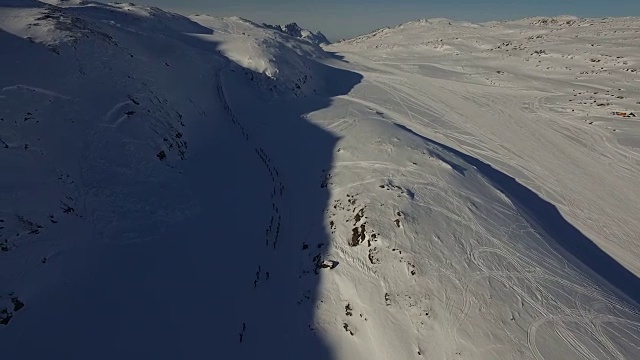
[[141, 218]]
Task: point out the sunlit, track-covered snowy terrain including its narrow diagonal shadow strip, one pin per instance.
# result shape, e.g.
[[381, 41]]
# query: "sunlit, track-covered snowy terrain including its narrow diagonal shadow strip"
[[523, 243]]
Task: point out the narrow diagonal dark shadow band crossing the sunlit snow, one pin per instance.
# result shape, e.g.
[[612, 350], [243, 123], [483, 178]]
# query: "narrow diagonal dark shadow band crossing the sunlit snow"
[[546, 216]]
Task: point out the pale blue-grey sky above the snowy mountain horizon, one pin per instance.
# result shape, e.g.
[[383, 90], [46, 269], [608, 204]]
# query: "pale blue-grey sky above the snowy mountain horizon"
[[348, 18]]
